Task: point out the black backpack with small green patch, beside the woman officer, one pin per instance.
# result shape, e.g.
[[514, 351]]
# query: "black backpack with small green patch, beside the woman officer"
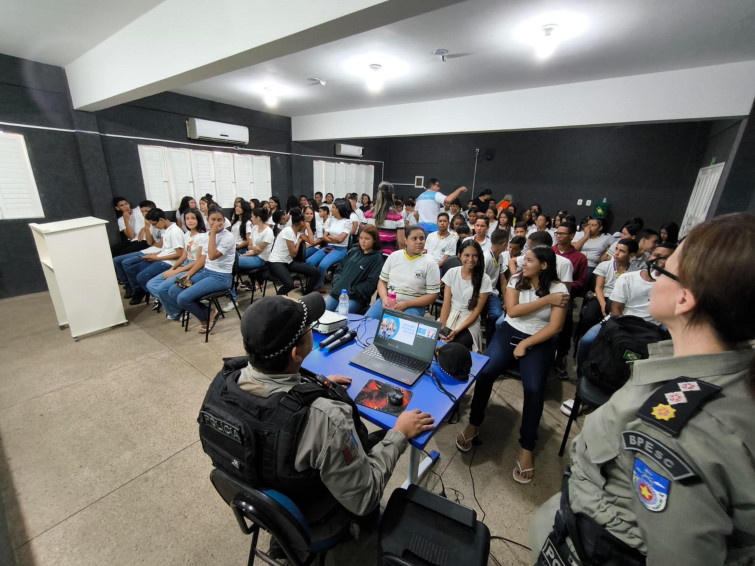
[[621, 339]]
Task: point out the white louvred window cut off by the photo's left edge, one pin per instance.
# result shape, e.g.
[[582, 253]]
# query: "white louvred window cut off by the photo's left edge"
[[19, 197]]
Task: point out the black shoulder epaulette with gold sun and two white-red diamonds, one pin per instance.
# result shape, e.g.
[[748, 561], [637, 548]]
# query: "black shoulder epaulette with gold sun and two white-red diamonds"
[[686, 394]]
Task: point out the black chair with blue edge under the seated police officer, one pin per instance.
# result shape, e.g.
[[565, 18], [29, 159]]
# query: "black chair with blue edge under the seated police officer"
[[276, 514]]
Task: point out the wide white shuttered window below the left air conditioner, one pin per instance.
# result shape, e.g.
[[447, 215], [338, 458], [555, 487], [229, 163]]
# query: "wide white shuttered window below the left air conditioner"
[[170, 174]]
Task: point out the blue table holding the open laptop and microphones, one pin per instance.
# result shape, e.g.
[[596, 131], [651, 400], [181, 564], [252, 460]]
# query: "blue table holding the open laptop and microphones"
[[426, 394]]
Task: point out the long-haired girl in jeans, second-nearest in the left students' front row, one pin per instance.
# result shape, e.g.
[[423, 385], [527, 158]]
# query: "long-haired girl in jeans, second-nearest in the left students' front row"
[[191, 261]]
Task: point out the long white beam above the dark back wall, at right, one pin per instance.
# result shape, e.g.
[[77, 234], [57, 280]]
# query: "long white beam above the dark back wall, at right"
[[703, 92]]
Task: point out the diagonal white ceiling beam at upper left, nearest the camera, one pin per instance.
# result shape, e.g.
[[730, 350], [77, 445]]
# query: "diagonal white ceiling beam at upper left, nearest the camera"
[[183, 41]]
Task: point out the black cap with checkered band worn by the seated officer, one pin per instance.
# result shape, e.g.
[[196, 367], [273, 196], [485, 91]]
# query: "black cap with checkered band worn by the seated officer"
[[272, 325]]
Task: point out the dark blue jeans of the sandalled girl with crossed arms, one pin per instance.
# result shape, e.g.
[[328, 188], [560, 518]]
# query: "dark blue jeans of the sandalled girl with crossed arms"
[[534, 371]]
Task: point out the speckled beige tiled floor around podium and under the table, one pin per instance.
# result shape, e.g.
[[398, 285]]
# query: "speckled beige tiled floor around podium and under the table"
[[100, 461]]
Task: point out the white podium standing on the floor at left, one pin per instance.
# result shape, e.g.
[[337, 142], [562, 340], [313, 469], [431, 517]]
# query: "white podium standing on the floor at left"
[[78, 267]]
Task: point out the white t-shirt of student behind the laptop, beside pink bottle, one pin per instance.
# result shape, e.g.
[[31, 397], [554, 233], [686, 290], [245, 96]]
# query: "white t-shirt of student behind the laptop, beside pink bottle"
[[410, 277]]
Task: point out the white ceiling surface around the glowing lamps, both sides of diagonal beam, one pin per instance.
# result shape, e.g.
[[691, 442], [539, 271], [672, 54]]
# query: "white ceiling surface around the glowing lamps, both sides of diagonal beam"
[[622, 37]]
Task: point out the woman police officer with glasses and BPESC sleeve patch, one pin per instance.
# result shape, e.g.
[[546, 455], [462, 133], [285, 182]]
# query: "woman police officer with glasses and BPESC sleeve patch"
[[664, 473]]
